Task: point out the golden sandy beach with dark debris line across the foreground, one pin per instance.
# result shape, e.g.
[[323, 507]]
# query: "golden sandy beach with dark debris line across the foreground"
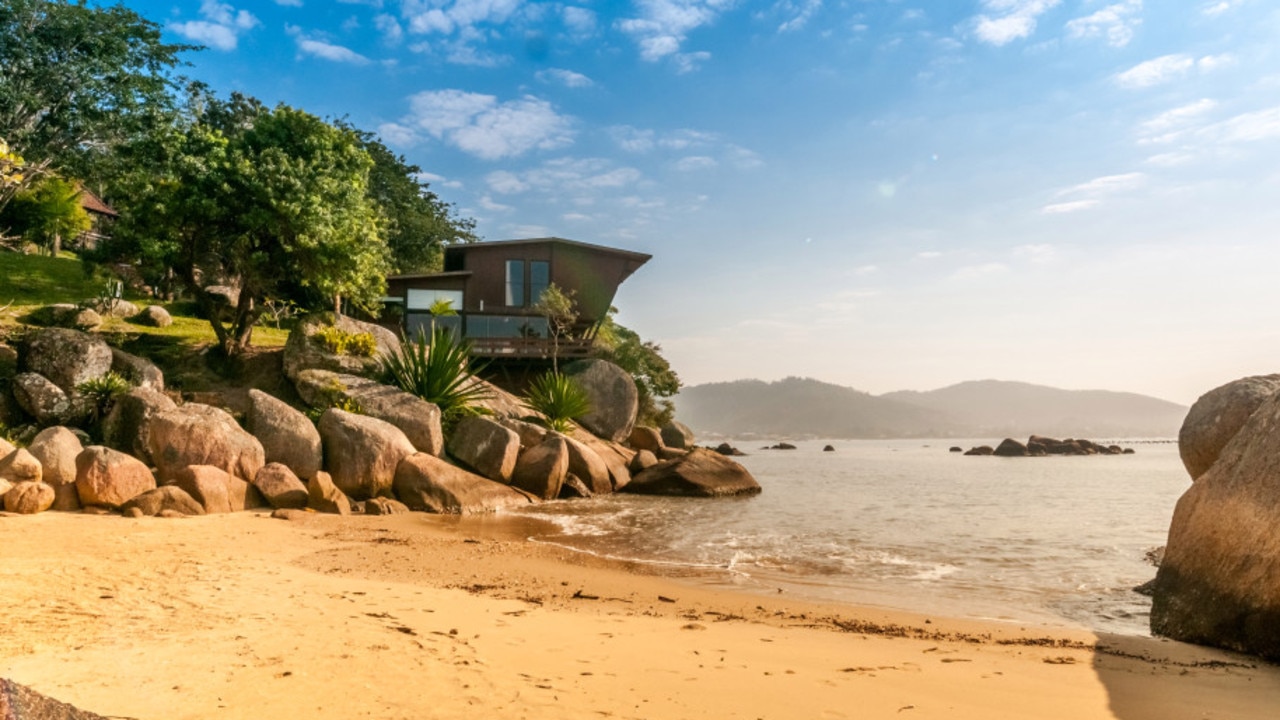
[[419, 617]]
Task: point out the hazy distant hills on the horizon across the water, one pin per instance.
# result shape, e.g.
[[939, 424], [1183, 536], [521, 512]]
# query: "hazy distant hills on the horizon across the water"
[[802, 407]]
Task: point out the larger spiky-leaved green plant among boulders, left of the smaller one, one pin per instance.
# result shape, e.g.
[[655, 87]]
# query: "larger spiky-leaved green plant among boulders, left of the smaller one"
[[437, 372]]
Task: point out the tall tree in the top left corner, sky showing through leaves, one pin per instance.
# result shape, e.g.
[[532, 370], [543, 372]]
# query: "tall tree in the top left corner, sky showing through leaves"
[[77, 80]]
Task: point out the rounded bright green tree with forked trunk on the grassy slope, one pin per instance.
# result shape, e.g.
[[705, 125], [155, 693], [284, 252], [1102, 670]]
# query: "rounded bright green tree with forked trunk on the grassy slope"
[[273, 200]]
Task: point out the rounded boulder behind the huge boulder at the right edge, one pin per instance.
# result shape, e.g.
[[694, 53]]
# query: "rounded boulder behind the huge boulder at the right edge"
[[1218, 416]]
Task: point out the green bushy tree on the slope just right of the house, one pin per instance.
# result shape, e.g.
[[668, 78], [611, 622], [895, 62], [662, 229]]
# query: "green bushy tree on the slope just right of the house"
[[656, 380]]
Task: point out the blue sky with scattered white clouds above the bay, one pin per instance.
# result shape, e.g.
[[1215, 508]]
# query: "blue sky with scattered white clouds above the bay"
[[880, 194]]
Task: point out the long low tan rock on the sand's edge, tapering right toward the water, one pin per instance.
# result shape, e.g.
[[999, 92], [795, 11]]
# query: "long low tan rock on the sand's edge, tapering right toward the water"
[[426, 482]]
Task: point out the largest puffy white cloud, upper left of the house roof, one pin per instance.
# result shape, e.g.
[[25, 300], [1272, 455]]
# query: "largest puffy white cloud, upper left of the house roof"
[[482, 125]]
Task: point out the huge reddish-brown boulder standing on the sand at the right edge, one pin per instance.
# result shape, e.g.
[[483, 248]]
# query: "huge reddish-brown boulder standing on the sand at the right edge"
[[1219, 582]]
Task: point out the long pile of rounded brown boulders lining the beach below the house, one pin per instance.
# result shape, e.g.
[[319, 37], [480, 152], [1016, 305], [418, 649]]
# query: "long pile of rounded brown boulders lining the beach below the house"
[[162, 457]]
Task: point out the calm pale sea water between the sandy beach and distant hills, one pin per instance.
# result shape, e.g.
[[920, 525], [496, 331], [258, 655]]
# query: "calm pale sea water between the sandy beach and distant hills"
[[906, 525]]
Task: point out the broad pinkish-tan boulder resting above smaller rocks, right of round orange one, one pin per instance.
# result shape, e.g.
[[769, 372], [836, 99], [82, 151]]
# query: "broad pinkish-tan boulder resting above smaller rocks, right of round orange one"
[[202, 435]]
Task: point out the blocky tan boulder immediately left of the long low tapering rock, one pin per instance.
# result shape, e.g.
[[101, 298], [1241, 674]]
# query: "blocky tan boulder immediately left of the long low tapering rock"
[[362, 453]]
